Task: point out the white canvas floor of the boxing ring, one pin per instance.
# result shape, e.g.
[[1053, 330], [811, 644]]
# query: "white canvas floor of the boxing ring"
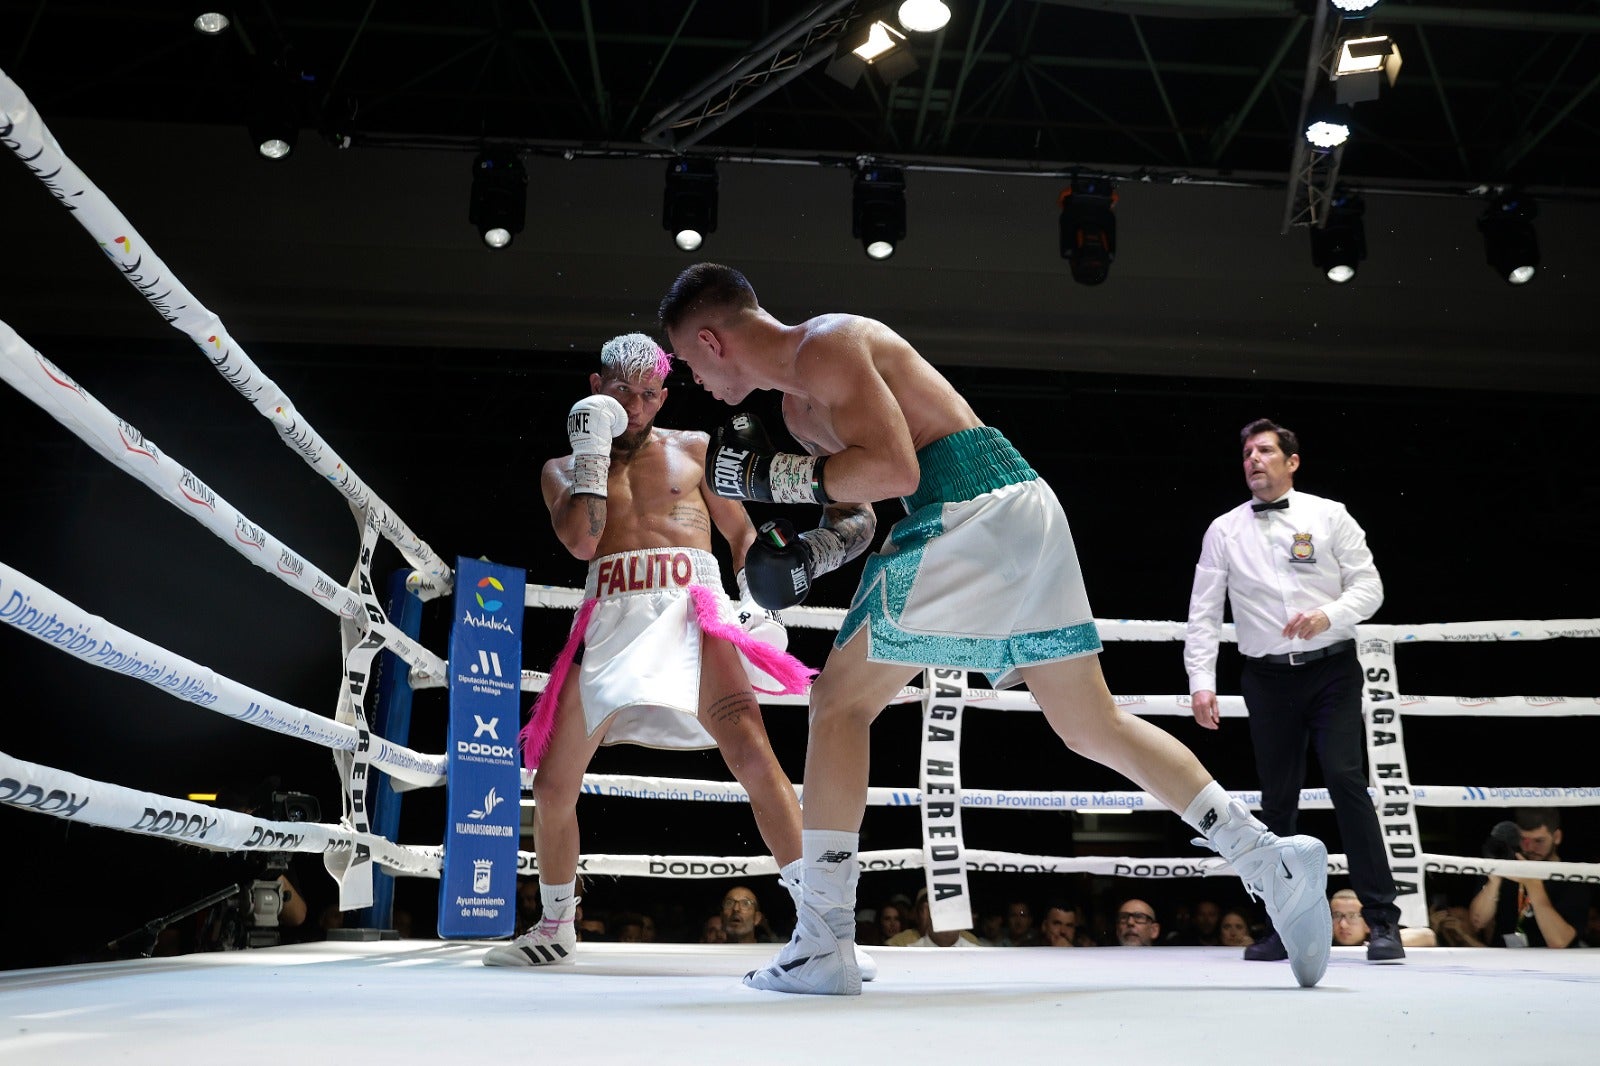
[[434, 1003]]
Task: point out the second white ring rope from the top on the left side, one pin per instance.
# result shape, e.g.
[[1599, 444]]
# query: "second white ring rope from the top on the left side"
[[74, 407]]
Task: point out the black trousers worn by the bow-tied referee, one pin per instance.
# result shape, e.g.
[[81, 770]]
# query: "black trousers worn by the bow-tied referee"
[[1319, 705]]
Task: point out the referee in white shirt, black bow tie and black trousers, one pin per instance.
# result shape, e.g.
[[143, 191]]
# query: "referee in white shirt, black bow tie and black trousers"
[[1300, 577]]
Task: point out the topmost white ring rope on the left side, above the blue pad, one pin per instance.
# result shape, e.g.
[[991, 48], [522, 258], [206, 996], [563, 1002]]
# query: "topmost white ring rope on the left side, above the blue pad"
[[26, 135]]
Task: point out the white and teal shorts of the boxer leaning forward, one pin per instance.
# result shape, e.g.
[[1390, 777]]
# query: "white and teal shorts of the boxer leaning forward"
[[982, 574]]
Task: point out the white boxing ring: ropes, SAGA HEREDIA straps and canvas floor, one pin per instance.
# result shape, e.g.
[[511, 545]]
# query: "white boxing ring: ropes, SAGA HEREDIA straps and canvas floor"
[[414, 1001]]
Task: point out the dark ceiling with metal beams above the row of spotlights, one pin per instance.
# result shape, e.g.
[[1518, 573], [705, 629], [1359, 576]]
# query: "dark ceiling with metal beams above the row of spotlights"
[[1490, 90]]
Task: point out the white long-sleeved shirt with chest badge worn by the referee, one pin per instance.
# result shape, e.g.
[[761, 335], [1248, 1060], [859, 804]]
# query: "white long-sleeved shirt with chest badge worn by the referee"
[[1273, 566]]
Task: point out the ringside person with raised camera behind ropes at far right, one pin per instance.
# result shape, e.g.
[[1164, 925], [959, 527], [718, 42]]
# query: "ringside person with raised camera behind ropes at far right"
[[1527, 912]]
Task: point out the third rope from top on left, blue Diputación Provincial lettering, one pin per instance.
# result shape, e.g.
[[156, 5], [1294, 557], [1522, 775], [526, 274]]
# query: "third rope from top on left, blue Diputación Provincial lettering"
[[63, 625]]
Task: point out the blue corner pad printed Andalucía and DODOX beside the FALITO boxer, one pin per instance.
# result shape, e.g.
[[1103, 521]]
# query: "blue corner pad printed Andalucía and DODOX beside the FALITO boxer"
[[478, 886]]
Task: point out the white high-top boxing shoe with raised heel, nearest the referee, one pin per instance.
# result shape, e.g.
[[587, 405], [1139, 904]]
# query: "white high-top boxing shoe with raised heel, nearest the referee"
[[1290, 875]]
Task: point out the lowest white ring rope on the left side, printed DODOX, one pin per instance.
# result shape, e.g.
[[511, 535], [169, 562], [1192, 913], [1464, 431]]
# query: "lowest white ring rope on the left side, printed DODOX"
[[68, 796]]
